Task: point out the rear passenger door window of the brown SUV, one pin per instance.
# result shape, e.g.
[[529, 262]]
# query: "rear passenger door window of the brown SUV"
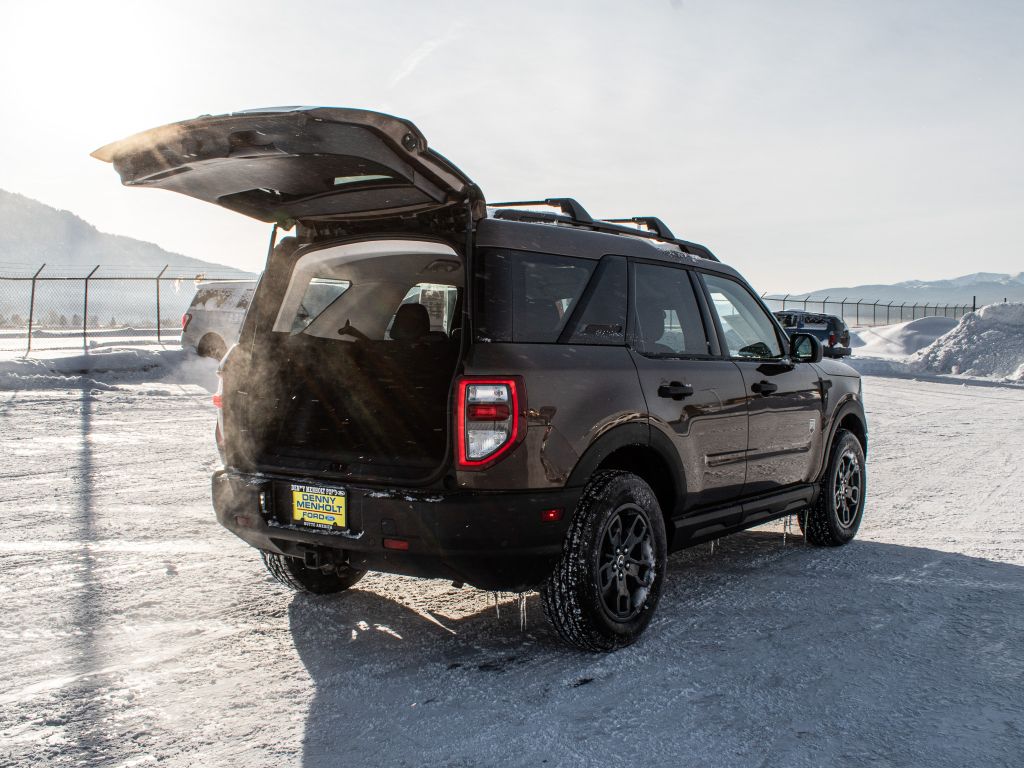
[[666, 315]]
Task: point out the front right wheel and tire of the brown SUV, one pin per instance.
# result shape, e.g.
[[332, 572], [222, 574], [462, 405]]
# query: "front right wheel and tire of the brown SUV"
[[835, 518]]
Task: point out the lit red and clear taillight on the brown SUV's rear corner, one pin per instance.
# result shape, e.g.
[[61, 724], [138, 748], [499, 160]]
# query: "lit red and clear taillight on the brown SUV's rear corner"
[[489, 420]]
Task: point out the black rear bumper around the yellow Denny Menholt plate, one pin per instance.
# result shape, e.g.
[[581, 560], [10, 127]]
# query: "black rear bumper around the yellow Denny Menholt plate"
[[495, 541]]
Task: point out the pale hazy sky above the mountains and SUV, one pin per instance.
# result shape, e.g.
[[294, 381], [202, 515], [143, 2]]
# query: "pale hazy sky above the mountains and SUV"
[[808, 144]]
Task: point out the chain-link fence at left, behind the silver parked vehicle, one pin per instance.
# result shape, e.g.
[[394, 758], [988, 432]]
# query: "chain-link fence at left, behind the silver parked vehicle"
[[63, 308]]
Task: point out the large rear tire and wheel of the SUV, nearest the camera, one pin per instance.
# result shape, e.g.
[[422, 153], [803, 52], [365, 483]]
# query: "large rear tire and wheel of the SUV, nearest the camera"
[[617, 540]]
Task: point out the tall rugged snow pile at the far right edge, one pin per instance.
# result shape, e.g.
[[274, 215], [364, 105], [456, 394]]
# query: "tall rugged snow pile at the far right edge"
[[990, 343]]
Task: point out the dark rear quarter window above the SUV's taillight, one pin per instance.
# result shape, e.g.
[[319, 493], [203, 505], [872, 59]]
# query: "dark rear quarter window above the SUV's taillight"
[[528, 297]]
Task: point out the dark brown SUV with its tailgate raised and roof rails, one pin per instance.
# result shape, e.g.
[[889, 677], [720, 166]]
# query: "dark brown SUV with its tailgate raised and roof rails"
[[494, 395]]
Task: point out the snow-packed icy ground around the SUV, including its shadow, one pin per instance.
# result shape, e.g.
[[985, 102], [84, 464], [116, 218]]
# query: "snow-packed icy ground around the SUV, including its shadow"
[[136, 631]]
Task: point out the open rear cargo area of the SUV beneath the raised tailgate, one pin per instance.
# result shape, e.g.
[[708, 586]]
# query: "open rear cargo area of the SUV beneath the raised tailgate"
[[354, 377]]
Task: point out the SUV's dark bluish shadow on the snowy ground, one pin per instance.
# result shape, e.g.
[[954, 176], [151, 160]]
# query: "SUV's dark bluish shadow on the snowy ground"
[[761, 654]]
